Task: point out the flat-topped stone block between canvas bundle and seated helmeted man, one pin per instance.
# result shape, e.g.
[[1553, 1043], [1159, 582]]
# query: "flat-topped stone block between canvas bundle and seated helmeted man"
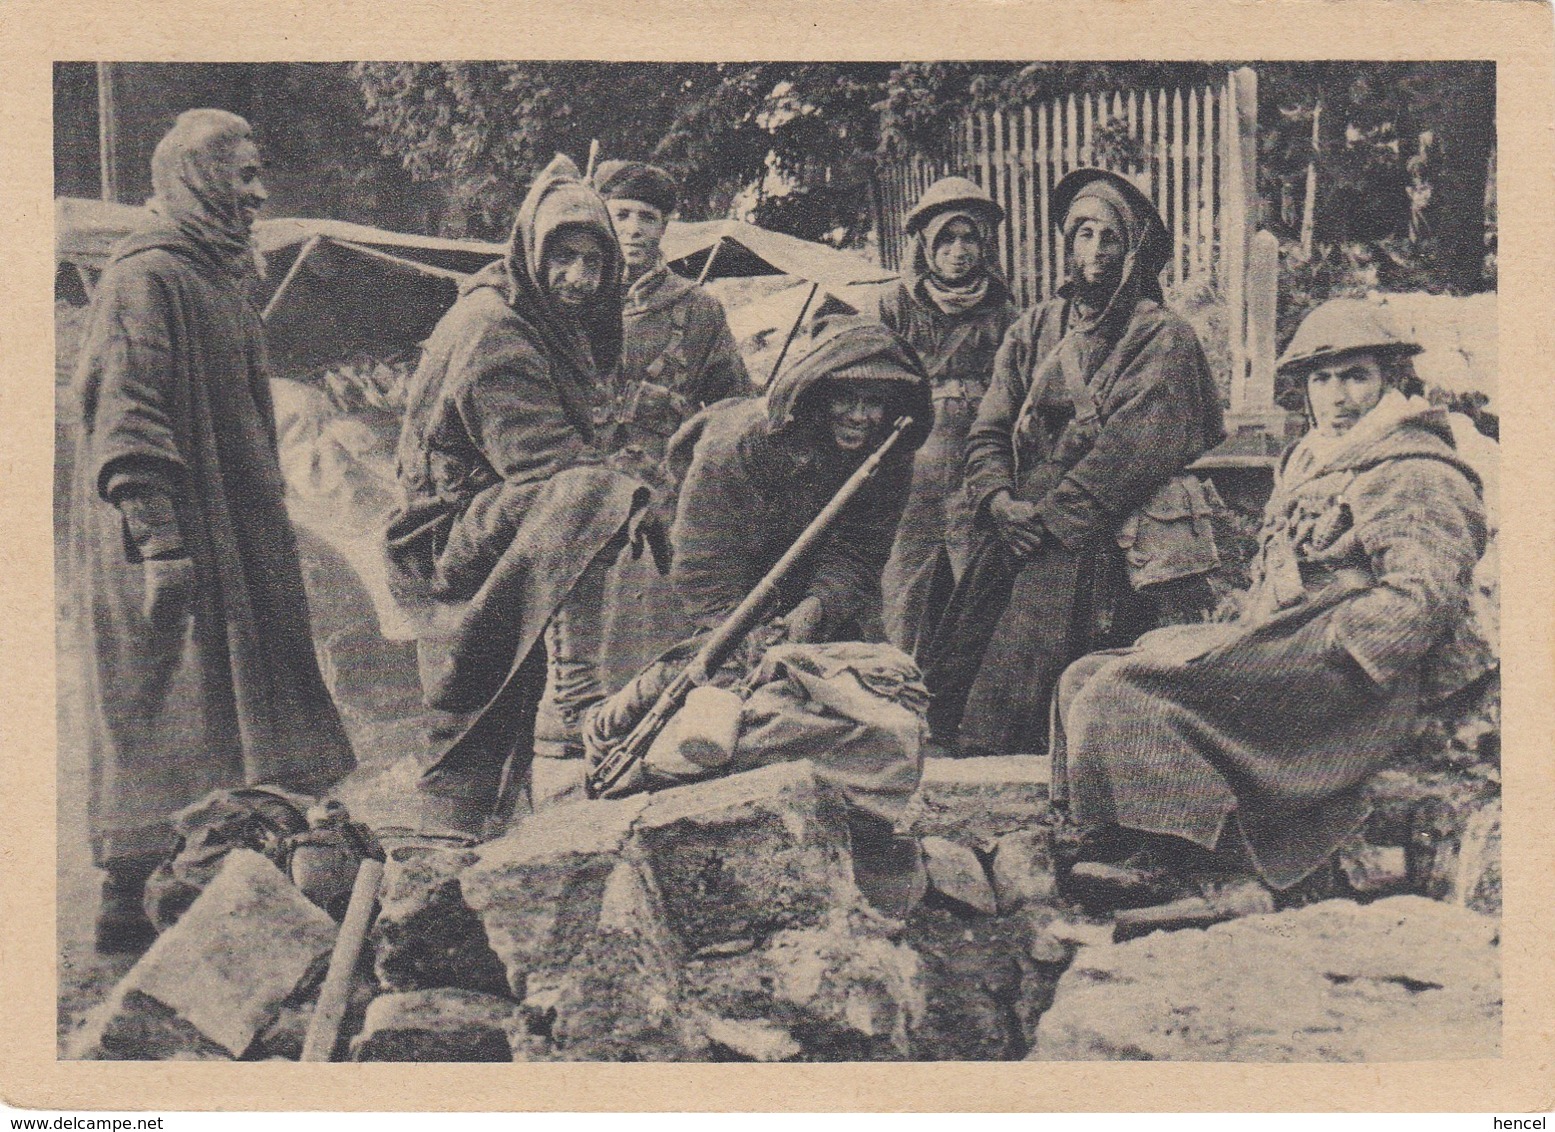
[[977, 802]]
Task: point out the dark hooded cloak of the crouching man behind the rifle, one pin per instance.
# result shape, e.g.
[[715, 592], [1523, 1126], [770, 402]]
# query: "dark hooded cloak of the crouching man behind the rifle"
[[761, 470]]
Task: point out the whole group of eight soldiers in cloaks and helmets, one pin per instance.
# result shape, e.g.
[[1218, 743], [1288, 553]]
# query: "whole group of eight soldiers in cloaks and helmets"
[[587, 467]]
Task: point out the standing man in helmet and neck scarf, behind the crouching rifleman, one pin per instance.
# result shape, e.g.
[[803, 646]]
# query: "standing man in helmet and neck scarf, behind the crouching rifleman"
[[954, 309]]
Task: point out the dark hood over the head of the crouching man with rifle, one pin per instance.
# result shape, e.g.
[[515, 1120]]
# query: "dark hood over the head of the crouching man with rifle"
[[853, 349]]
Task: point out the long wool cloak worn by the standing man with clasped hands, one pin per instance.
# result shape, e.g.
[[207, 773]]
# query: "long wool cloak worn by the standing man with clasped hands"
[[1010, 627]]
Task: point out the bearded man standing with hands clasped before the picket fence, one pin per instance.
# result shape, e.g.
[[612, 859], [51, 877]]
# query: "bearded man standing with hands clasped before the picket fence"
[[1100, 399]]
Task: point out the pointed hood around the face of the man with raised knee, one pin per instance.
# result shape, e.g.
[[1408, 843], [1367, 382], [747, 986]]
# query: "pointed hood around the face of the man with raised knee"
[[562, 200]]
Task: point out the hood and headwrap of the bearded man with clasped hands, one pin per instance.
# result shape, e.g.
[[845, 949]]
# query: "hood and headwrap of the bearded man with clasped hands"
[[1103, 195]]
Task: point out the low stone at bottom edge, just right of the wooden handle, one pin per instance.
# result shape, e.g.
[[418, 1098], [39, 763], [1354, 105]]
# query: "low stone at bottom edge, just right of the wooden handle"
[[441, 1025]]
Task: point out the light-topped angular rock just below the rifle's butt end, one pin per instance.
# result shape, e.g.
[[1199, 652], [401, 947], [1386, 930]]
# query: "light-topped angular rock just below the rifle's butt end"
[[539, 889]]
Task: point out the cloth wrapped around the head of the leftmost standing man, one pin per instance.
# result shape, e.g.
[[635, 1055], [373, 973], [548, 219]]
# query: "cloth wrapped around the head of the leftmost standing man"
[[195, 187]]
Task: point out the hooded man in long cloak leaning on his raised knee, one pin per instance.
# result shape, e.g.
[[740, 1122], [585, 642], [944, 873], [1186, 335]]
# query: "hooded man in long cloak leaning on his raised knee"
[[512, 517]]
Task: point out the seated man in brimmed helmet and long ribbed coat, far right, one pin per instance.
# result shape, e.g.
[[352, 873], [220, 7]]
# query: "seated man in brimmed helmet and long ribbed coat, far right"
[[1257, 738]]
